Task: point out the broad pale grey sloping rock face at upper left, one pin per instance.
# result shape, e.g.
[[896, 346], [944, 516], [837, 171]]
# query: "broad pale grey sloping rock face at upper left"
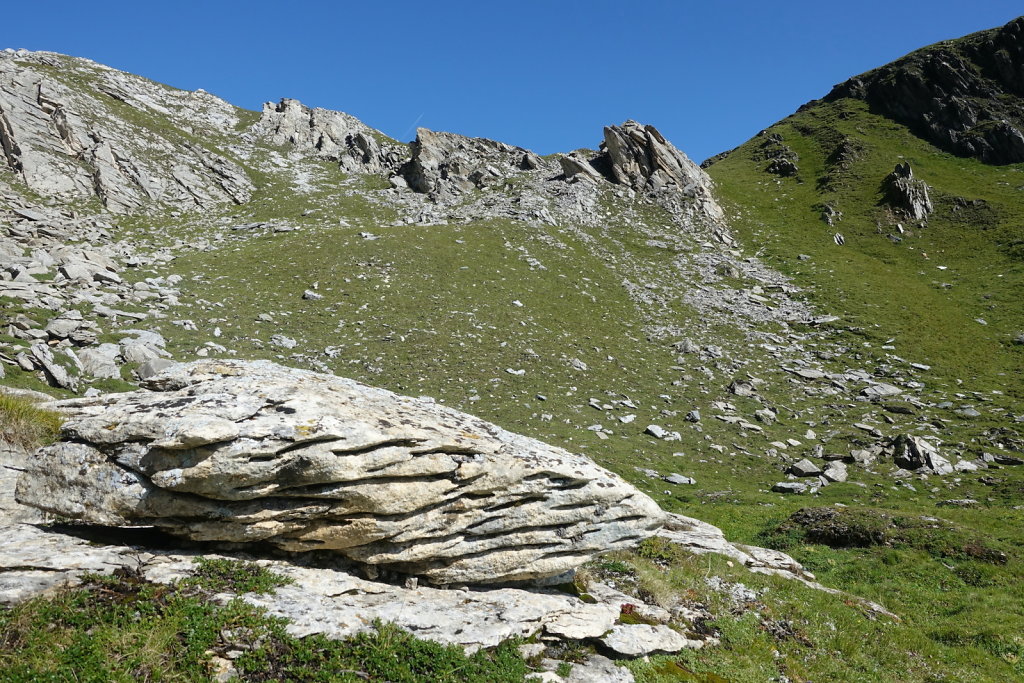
[[75, 143]]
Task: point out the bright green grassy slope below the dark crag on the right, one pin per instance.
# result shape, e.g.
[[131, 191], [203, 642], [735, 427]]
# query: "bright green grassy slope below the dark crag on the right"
[[923, 287]]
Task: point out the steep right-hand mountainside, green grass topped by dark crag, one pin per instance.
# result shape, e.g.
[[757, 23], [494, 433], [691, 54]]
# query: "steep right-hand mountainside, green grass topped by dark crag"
[[924, 263]]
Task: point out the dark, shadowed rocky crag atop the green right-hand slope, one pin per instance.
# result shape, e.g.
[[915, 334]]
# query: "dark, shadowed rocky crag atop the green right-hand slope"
[[963, 96]]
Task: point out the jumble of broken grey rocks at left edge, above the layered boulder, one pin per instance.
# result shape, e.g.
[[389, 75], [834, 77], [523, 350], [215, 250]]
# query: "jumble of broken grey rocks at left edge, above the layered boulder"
[[57, 263]]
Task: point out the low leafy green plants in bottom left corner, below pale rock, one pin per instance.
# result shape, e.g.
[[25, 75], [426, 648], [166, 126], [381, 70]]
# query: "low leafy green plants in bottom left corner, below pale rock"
[[123, 628]]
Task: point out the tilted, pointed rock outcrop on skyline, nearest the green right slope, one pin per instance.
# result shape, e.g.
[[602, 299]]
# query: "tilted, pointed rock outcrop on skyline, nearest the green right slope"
[[641, 158]]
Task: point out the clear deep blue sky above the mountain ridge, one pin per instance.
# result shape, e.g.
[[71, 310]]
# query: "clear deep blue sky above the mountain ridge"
[[543, 74]]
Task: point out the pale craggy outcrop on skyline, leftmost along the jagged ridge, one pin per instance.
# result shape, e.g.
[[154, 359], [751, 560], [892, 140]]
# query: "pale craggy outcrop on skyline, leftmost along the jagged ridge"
[[333, 136]]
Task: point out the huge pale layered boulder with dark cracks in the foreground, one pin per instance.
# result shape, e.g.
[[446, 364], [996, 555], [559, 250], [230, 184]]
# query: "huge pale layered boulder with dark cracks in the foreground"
[[253, 452]]
